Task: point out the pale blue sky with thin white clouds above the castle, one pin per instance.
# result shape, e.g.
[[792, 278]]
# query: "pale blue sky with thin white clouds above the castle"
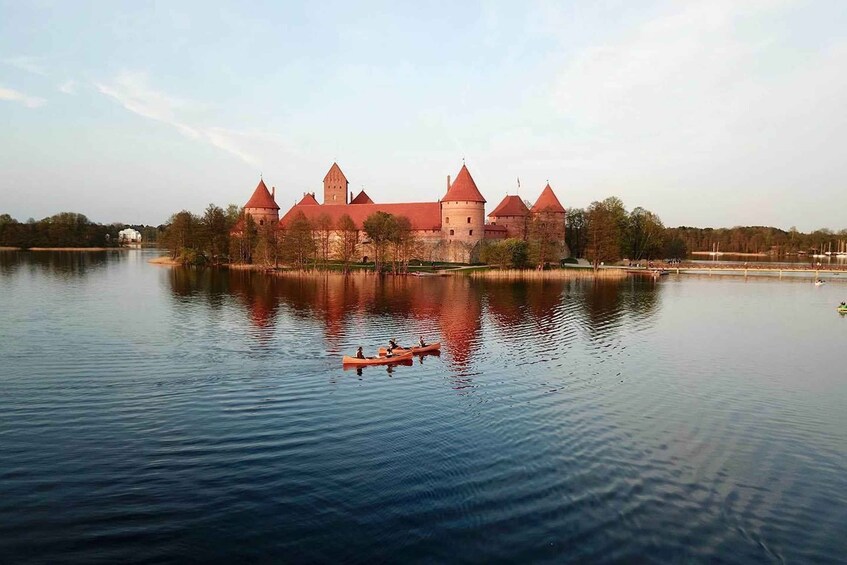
[[715, 113]]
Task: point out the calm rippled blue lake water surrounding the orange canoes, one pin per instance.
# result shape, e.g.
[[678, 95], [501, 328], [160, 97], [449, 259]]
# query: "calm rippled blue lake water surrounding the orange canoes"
[[150, 414]]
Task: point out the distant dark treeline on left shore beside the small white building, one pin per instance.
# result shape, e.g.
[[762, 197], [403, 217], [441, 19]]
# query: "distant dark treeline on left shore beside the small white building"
[[66, 229]]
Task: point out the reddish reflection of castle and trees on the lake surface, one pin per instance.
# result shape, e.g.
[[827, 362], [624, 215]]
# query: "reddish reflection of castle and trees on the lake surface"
[[456, 310]]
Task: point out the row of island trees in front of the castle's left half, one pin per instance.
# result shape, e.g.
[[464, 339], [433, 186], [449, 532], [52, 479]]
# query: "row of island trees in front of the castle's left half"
[[230, 236]]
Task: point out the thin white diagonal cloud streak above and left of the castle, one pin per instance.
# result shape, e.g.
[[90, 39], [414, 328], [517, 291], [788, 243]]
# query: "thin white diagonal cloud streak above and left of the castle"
[[132, 91]]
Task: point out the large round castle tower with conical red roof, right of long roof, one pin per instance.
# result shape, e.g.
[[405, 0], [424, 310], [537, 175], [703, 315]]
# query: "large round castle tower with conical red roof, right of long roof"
[[462, 218]]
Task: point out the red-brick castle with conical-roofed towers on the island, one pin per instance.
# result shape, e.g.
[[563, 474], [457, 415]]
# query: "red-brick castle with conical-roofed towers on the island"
[[450, 229]]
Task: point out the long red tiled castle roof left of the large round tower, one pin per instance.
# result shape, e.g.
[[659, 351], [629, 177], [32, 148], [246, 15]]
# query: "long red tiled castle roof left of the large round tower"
[[423, 215]]
